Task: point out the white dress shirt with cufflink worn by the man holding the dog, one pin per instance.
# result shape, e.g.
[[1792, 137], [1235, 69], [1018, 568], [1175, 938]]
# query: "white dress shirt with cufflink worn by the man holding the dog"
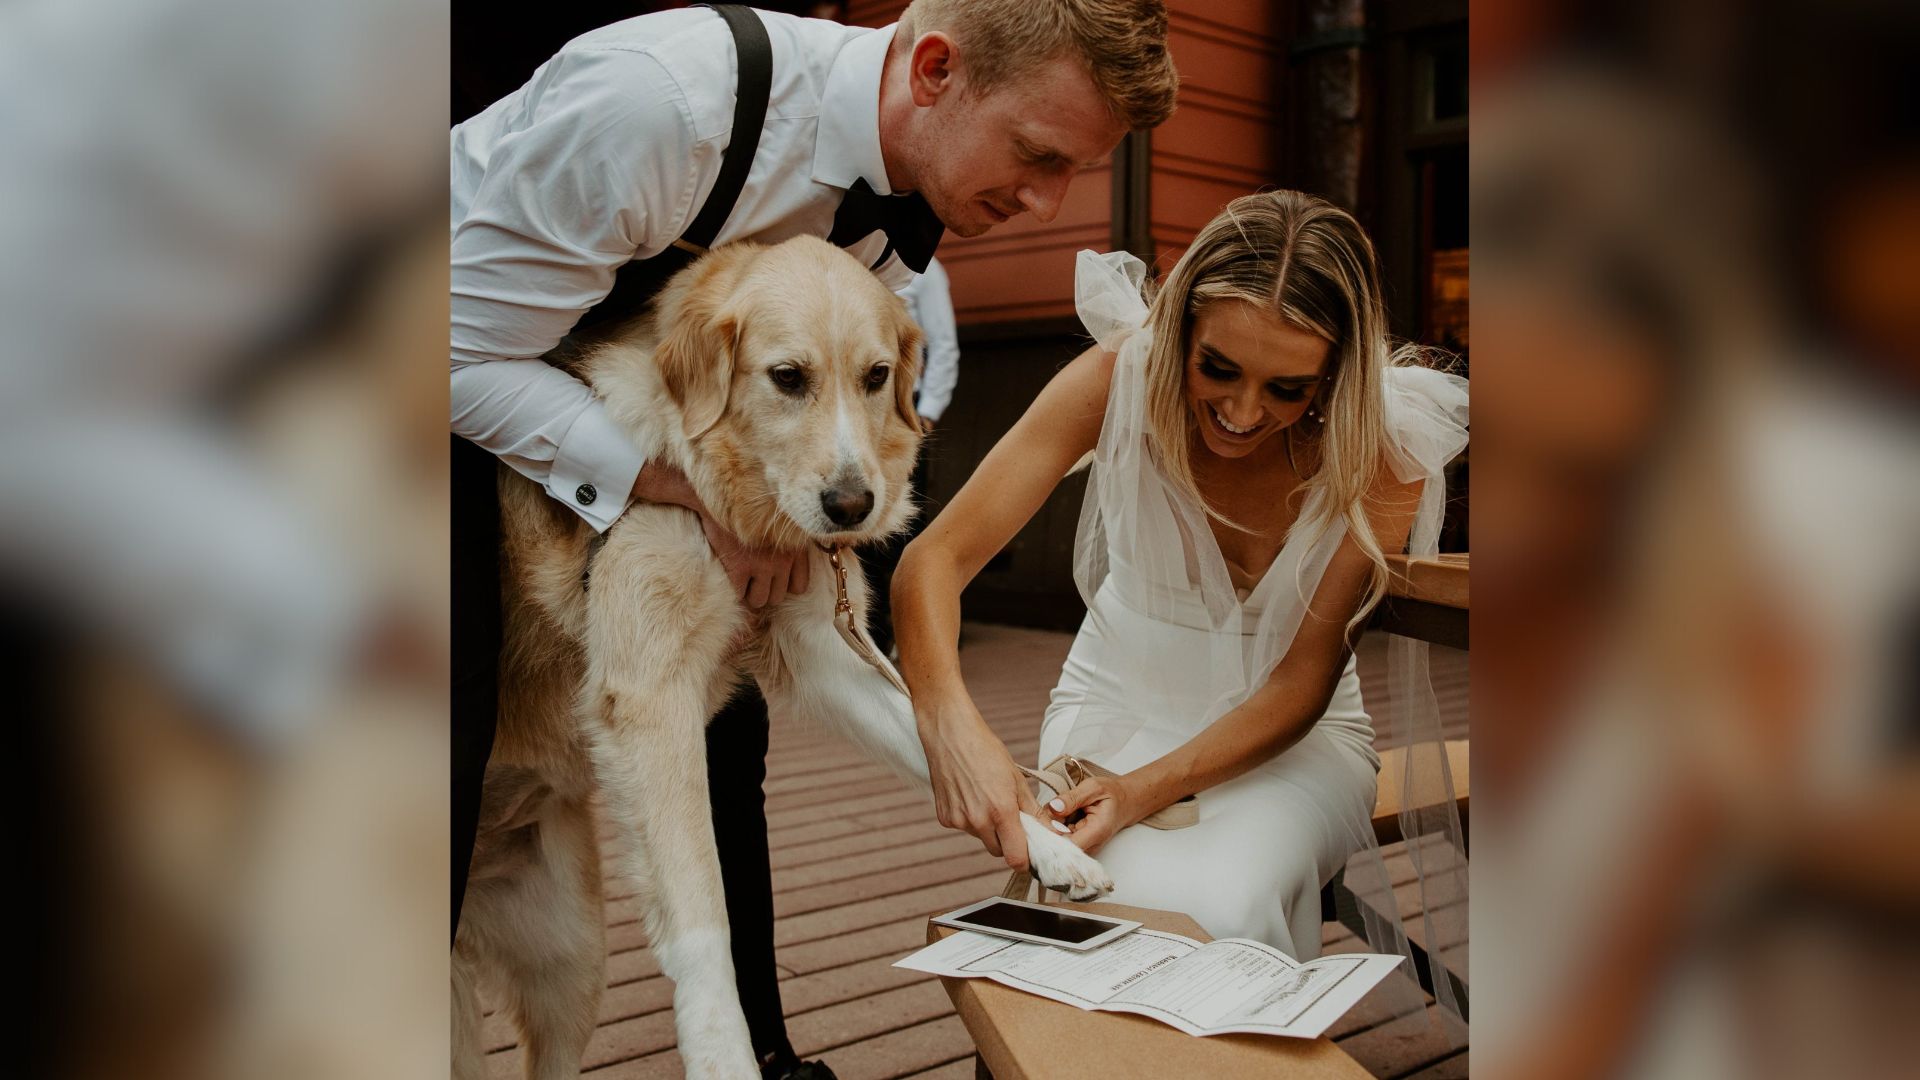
[[606, 157]]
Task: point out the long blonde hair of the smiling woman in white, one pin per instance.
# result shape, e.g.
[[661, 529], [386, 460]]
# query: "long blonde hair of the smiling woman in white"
[[1310, 264]]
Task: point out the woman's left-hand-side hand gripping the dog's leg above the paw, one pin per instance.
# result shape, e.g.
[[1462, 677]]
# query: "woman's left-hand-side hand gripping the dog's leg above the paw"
[[976, 787]]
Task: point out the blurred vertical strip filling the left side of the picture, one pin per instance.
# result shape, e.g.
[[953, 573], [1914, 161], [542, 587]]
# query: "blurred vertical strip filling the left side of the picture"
[[224, 549]]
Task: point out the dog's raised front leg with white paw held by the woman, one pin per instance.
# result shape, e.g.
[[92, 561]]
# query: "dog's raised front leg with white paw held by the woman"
[[809, 672]]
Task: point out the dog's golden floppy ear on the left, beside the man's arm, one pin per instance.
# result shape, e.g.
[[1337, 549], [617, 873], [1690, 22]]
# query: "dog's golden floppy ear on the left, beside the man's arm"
[[700, 339]]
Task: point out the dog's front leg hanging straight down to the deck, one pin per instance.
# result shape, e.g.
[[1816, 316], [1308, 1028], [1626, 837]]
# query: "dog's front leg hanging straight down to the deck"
[[658, 635]]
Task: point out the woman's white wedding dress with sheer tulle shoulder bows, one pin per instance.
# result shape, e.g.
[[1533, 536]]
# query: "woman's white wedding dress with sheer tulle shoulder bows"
[[1170, 645]]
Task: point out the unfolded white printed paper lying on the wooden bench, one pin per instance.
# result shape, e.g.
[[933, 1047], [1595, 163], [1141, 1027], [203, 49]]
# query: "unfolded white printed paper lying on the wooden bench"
[[1205, 991]]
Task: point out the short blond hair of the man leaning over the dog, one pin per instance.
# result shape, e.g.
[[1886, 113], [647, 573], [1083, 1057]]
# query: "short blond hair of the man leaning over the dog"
[[1122, 45]]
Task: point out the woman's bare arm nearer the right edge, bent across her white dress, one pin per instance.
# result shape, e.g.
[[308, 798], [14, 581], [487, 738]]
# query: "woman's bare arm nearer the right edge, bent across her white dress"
[[1276, 716]]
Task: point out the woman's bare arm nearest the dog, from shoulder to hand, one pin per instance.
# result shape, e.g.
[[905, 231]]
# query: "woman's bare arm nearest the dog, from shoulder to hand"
[[974, 781]]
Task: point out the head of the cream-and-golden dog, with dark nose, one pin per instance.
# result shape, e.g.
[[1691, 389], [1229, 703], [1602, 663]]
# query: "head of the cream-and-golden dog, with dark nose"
[[794, 370]]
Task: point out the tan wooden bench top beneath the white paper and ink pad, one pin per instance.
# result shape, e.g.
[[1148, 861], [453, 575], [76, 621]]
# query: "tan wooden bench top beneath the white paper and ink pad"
[[1022, 1037]]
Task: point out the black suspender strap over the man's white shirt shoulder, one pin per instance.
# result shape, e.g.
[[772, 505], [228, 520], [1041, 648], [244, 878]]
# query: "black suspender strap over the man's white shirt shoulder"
[[638, 282]]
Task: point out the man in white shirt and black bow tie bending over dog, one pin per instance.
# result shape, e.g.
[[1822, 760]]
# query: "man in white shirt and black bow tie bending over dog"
[[638, 143]]
